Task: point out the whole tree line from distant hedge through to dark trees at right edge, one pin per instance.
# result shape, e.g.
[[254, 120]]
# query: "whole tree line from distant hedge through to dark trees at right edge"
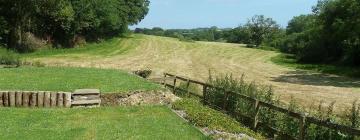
[[330, 34]]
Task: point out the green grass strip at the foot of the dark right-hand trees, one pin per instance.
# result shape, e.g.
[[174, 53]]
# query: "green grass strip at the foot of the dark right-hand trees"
[[290, 61]]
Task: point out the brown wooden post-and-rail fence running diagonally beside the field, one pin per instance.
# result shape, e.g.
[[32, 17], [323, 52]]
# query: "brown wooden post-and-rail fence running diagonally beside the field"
[[304, 121]]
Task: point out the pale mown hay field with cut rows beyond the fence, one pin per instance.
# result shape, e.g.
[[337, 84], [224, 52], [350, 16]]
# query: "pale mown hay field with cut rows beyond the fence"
[[195, 60]]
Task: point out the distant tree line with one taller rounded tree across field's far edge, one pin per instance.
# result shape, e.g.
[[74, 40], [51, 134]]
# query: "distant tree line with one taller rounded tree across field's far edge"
[[256, 31]]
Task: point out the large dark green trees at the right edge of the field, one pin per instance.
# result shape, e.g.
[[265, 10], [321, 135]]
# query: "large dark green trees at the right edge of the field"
[[330, 34]]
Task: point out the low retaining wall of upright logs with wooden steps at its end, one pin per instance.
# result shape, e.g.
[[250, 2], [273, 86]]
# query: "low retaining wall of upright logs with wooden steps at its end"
[[47, 99]]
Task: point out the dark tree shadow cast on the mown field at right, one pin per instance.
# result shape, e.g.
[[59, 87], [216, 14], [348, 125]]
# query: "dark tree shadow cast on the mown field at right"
[[318, 79]]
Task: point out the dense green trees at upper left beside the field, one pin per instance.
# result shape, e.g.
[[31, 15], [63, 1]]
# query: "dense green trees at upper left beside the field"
[[64, 23]]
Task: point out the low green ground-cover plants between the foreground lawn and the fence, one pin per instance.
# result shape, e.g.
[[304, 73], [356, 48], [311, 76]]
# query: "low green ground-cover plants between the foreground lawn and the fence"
[[206, 117]]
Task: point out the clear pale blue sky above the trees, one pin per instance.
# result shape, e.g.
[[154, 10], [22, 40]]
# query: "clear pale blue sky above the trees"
[[186, 14]]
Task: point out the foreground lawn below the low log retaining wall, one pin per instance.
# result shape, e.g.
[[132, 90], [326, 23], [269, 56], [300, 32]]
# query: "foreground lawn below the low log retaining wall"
[[145, 122]]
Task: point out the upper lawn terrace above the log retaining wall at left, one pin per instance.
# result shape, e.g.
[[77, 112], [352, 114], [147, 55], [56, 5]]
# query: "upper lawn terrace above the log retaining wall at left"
[[69, 79]]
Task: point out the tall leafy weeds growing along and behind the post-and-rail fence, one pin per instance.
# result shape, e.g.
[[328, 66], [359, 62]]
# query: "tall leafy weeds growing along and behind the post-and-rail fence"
[[239, 108]]
